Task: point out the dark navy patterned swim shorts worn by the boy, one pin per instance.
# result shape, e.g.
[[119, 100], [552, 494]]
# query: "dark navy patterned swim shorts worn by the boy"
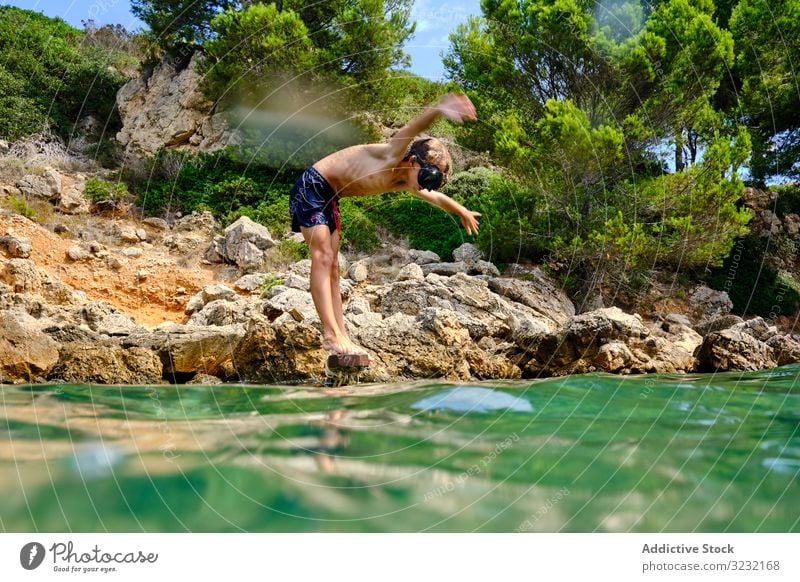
[[312, 201]]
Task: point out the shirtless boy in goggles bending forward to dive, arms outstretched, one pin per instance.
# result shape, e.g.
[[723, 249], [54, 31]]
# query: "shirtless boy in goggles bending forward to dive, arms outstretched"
[[364, 170]]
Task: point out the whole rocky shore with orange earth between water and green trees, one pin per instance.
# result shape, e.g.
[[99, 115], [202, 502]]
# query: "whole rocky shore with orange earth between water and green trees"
[[226, 319]]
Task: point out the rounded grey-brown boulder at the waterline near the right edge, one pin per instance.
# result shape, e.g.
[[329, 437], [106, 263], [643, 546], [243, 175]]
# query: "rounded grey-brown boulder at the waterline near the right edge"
[[734, 350]]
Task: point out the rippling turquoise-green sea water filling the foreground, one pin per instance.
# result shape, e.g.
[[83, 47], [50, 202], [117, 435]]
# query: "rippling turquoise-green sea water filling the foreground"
[[589, 453]]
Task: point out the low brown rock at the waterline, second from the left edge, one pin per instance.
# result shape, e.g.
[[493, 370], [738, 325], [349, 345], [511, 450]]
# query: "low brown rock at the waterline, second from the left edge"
[[107, 364]]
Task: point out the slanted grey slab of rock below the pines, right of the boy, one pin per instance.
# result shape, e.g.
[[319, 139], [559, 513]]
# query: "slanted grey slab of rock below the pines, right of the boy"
[[539, 292]]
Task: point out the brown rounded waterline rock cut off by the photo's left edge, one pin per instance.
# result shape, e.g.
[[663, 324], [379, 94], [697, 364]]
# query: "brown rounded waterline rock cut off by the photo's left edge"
[[25, 353]]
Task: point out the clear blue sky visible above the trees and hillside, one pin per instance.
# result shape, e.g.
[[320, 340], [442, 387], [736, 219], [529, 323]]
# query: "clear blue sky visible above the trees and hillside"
[[435, 20]]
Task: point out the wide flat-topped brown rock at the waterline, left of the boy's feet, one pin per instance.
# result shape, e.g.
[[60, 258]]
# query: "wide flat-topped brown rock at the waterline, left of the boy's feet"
[[189, 349]]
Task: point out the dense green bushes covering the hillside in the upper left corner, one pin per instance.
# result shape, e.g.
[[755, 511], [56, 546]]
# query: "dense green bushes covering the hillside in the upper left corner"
[[50, 79]]
